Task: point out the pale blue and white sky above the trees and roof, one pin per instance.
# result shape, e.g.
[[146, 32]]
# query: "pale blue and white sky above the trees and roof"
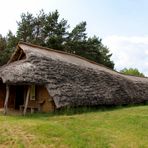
[[121, 24]]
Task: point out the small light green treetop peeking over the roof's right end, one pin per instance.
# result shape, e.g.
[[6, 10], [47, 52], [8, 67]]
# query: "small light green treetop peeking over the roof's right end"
[[132, 71]]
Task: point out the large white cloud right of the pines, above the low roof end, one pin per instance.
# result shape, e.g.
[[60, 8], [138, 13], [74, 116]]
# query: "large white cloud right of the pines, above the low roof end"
[[129, 52]]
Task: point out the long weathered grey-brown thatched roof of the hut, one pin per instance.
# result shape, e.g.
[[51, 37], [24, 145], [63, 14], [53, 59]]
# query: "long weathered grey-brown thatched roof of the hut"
[[72, 80]]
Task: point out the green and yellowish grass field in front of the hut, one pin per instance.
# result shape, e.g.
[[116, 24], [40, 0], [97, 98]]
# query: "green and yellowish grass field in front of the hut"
[[92, 128]]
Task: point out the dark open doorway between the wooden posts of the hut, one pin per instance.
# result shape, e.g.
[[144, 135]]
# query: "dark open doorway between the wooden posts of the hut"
[[19, 100]]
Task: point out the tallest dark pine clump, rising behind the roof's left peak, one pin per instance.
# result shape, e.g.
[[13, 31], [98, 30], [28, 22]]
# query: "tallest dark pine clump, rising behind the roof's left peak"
[[44, 29]]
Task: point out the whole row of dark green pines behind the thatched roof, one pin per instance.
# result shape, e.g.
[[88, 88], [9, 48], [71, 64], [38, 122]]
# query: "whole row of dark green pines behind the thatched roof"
[[49, 31]]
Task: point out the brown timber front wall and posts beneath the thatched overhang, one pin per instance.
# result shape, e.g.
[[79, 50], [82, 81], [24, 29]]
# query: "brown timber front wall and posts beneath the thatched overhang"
[[42, 102]]
